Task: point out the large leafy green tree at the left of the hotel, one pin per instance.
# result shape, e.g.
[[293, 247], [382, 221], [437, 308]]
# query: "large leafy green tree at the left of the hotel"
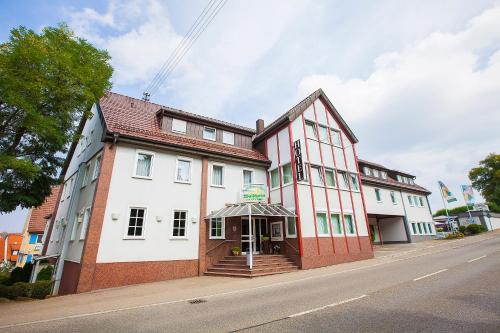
[[48, 83]]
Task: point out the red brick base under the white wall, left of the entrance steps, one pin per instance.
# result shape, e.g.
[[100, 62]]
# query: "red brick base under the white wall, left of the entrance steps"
[[117, 274]]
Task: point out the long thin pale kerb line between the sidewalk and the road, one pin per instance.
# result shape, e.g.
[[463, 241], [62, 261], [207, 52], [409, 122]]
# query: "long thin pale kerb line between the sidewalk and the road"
[[246, 290]]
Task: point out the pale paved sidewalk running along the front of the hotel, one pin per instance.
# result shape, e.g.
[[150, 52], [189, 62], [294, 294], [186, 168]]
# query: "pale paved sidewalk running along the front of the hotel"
[[182, 290]]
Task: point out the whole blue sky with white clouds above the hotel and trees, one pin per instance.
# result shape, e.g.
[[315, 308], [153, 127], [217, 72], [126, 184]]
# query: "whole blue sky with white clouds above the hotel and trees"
[[417, 81]]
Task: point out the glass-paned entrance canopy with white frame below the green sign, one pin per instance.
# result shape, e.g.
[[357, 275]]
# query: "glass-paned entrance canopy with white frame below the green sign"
[[245, 209]]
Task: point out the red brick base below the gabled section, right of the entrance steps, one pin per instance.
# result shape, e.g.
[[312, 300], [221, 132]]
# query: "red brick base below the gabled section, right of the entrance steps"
[[326, 256]]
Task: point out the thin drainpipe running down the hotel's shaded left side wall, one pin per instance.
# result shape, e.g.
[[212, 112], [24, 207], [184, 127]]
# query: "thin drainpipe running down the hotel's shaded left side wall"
[[75, 195]]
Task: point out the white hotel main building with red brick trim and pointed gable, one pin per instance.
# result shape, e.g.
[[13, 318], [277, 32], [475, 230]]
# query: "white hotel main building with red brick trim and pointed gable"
[[142, 182]]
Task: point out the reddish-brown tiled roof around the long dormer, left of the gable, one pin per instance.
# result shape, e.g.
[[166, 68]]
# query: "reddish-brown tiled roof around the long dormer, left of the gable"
[[137, 119]]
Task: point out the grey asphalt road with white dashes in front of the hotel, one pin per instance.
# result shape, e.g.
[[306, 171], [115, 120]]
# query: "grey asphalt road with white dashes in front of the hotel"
[[455, 289]]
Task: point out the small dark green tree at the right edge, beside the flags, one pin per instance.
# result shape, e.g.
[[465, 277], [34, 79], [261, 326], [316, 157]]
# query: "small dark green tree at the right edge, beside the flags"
[[486, 179]]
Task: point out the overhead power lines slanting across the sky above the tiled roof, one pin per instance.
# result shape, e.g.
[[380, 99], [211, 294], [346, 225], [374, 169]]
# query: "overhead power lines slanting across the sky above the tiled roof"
[[208, 14]]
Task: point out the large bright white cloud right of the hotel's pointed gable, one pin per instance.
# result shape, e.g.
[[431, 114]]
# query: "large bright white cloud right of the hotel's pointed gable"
[[432, 108]]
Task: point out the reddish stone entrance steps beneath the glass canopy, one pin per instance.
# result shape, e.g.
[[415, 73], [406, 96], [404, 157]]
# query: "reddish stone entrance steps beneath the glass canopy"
[[236, 266]]
